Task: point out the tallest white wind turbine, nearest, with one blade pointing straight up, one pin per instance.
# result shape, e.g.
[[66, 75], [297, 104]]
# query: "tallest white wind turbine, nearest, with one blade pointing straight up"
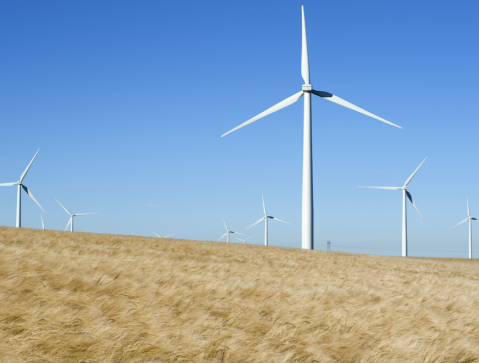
[[307, 90]]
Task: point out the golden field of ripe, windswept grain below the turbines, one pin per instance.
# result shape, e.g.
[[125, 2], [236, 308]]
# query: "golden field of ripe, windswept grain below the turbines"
[[105, 298]]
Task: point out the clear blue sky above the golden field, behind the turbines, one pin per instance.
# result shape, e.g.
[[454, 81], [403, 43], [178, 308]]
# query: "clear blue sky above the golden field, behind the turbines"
[[127, 101]]
